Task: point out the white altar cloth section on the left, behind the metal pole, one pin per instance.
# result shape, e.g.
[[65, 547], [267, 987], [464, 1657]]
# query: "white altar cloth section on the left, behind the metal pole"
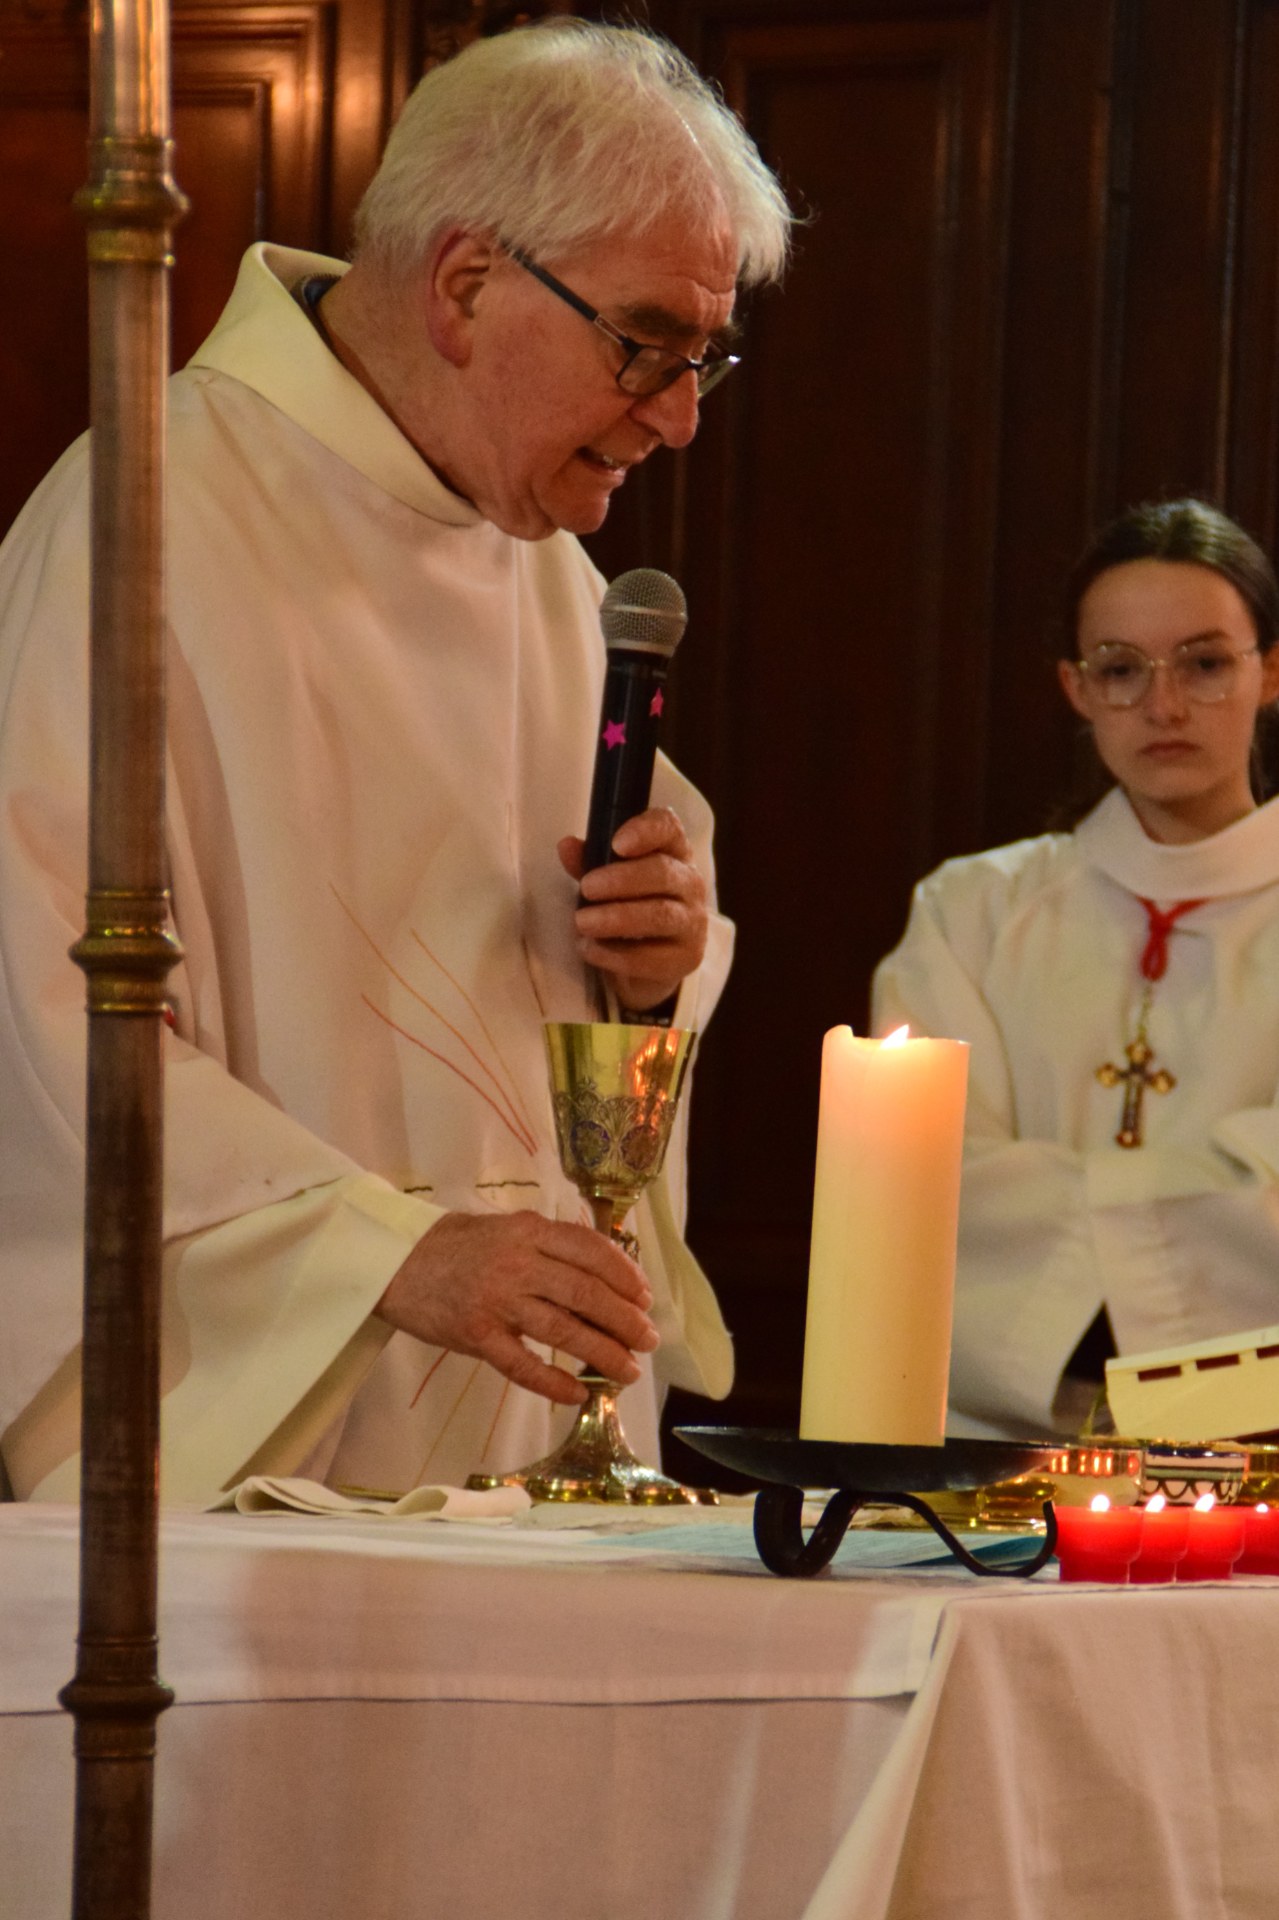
[[387, 1717]]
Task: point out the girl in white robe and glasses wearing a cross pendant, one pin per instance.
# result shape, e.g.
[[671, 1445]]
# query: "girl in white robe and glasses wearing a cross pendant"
[[1121, 992]]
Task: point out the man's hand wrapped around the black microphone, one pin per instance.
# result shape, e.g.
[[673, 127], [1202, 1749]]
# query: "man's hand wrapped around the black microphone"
[[642, 921]]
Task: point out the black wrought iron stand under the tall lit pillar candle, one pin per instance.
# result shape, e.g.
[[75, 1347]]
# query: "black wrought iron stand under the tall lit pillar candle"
[[863, 1476]]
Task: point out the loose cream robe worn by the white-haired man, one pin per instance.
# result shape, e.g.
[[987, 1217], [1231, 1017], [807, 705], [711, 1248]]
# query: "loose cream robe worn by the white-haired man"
[[381, 721]]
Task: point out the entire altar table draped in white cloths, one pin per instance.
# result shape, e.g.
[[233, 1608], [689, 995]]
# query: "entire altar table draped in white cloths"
[[473, 1721]]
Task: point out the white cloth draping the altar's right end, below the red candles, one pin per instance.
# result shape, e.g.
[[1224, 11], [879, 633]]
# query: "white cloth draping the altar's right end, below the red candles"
[[1078, 1752]]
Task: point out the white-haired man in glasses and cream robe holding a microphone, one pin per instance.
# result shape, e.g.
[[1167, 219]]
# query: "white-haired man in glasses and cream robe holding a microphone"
[[385, 677]]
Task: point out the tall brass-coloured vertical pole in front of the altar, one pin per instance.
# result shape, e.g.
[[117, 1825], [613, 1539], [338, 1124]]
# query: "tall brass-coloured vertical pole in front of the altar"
[[132, 206]]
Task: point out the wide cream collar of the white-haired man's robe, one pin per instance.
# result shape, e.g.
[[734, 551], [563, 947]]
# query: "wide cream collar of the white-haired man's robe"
[[268, 341]]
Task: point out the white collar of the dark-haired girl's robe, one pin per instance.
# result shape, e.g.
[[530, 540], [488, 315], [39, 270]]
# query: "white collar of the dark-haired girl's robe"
[[1240, 859]]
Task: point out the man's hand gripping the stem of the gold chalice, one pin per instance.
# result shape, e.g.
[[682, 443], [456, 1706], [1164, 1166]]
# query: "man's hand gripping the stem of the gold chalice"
[[481, 1284]]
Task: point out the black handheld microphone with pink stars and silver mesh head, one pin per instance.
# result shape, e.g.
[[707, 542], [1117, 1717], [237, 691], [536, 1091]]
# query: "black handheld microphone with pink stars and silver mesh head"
[[642, 617]]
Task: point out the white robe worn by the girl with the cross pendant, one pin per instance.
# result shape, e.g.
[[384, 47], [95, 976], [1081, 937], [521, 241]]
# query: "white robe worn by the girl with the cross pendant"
[[1032, 955]]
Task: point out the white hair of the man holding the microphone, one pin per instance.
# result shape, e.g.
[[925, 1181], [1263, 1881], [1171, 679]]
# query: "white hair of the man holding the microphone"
[[567, 133]]
